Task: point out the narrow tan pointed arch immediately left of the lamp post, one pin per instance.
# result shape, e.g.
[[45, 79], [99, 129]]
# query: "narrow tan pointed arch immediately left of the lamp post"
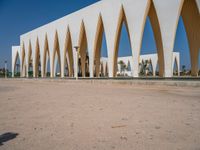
[[68, 53]]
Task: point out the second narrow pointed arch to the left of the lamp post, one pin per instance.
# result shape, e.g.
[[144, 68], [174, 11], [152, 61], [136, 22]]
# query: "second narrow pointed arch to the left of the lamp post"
[[56, 55]]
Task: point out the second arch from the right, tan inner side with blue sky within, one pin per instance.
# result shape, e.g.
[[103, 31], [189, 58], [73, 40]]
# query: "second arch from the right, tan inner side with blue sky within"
[[152, 41]]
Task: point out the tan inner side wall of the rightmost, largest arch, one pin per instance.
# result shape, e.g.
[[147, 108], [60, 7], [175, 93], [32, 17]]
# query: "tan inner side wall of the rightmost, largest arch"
[[191, 20]]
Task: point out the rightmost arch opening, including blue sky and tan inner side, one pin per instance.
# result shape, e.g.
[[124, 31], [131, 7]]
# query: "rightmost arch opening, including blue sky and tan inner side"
[[187, 38]]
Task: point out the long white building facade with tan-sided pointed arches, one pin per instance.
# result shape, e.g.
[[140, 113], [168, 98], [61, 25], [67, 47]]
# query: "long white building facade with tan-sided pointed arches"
[[55, 42]]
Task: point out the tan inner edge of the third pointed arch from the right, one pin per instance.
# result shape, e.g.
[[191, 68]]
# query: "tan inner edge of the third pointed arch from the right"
[[122, 19]]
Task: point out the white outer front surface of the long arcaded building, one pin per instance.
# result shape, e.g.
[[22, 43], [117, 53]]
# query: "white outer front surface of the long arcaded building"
[[135, 12]]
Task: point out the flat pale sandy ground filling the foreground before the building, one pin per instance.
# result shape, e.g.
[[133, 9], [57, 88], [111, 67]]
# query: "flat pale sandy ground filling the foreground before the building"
[[70, 115]]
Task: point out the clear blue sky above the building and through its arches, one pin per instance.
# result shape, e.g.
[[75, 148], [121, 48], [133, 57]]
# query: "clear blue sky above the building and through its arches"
[[20, 16]]
